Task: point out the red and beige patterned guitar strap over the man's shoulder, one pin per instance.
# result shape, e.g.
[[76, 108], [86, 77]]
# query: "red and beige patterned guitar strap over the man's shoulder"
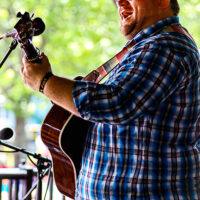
[[98, 74]]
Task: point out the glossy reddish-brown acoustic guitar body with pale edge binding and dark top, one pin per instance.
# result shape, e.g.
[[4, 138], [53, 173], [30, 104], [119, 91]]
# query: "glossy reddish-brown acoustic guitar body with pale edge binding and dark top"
[[64, 135]]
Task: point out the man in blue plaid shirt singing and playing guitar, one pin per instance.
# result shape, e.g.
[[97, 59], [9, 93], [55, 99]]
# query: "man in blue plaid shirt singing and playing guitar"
[[146, 116]]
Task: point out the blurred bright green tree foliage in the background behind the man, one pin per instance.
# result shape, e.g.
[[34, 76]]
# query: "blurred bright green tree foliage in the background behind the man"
[[80, 35]]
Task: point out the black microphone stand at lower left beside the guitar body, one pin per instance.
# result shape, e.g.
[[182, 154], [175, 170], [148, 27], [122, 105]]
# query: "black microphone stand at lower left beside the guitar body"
[[43, 166]]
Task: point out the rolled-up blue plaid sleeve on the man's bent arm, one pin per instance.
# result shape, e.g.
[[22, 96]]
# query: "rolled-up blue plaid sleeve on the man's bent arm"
[[148, 75]]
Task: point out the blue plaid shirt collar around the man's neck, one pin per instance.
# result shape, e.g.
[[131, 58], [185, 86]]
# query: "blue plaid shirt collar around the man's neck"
[[155, 28]]
